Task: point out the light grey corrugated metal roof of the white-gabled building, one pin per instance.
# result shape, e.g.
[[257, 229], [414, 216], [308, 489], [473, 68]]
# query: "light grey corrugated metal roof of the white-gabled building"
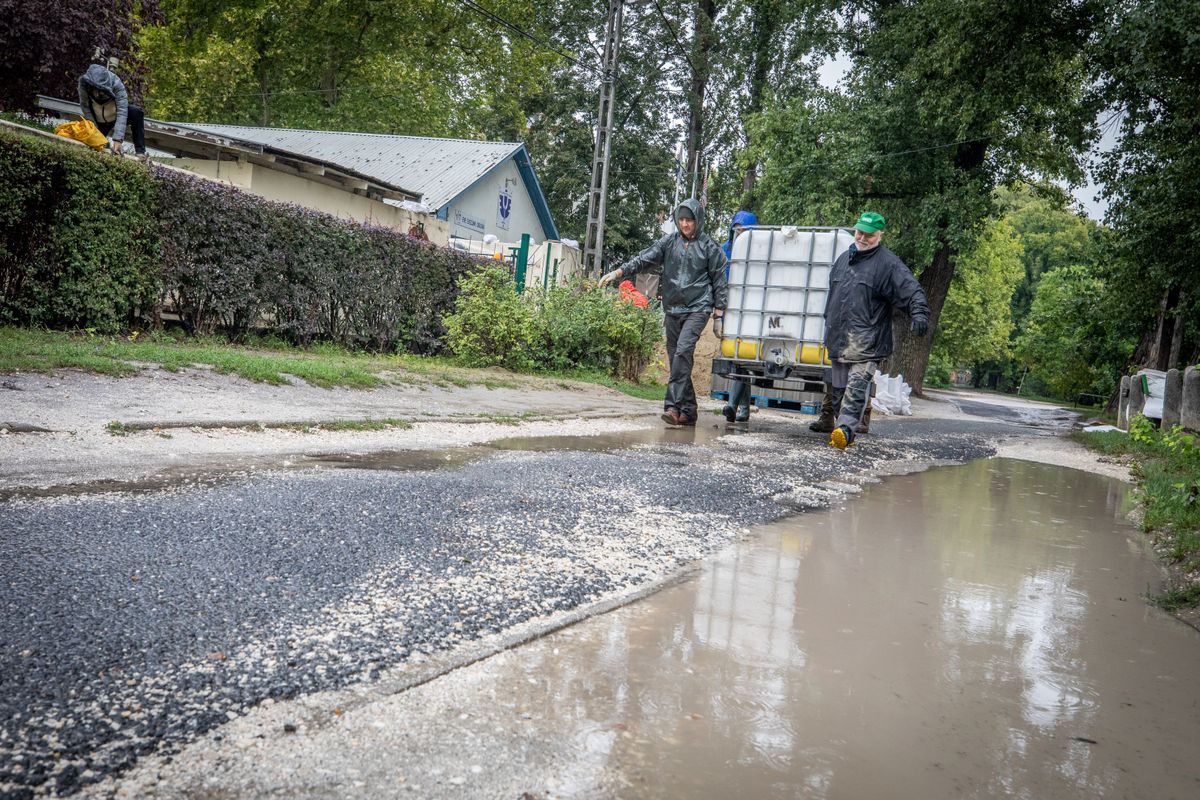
[[440, 170]]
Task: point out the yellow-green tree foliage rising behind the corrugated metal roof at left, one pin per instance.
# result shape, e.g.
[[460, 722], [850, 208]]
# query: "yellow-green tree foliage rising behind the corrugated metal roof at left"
[[347, 65]]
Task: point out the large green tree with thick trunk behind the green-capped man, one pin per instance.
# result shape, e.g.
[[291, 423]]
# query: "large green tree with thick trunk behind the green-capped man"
[[947, 100]]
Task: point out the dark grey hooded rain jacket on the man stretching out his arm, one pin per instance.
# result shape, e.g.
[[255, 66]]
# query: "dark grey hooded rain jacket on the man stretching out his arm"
[[693, 270]]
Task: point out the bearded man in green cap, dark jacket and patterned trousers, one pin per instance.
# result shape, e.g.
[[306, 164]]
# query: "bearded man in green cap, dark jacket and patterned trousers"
[[866, 284]]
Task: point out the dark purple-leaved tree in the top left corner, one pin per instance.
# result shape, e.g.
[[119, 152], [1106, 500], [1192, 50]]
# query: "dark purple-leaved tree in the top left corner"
[[47, 46]]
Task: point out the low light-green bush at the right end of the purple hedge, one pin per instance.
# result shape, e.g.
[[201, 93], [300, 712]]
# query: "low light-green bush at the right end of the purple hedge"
[[560, 330]]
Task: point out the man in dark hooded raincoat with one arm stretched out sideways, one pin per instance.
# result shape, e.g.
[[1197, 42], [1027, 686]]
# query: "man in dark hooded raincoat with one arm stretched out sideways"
[[694, 287]]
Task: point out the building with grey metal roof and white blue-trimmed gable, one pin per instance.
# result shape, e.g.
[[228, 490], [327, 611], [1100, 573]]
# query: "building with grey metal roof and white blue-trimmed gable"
[[478, 188]]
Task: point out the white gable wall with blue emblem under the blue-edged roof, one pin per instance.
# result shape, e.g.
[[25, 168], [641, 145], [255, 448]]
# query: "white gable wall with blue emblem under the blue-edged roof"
[[478, 212]]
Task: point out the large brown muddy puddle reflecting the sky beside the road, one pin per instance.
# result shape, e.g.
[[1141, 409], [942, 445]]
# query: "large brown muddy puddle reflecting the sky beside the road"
[[973, 631]]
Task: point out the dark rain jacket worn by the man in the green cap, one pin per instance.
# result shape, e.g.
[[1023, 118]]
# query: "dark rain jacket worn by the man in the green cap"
[[863, 290]]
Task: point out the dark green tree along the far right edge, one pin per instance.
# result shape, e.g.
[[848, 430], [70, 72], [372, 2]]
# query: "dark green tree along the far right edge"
[[1149, 56]]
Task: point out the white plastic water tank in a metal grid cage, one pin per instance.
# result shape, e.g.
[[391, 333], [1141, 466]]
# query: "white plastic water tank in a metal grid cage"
[[779, 279]]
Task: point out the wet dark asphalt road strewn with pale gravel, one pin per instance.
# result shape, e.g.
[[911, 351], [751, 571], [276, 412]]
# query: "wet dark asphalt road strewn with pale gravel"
[[131, 623]]
